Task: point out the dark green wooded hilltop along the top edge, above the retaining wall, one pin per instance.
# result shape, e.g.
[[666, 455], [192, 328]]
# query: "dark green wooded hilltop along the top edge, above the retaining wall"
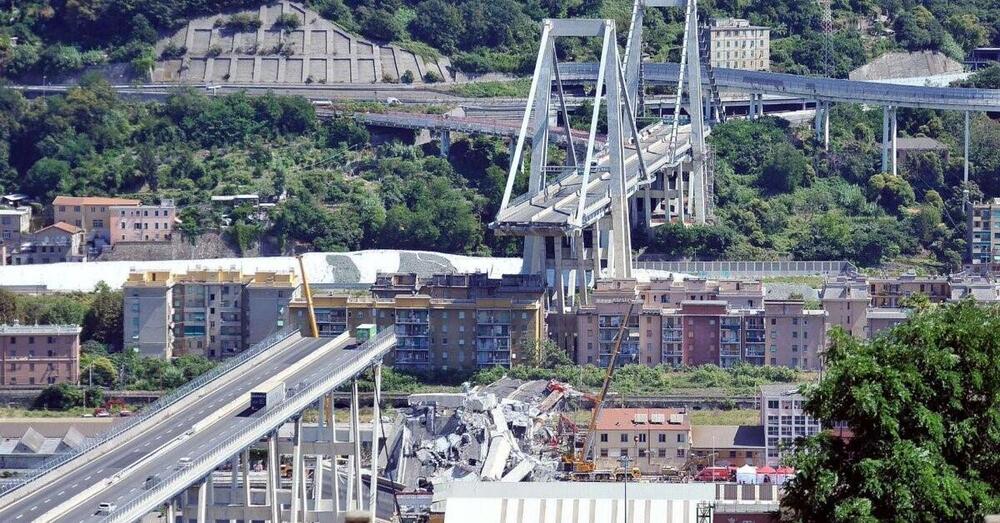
[[500, 35]]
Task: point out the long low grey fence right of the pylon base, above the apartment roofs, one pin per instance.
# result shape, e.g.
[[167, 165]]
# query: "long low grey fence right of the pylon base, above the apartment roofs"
[[756, 269]]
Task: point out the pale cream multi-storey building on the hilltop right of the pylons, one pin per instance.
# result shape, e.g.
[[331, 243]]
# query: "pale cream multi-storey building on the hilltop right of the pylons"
[[735, 44]]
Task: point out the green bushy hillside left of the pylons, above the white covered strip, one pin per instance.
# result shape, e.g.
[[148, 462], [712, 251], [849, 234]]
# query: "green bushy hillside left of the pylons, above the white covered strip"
[[342, 193]]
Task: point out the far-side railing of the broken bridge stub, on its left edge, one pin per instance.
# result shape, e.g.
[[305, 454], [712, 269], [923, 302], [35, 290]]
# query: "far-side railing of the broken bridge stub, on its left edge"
[[151, 410]]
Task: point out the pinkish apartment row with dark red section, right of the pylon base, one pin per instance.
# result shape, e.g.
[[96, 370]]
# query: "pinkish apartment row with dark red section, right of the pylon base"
[[709, 329]]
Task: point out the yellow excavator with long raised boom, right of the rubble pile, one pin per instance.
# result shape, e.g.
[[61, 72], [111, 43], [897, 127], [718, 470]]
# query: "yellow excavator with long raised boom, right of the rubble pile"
[[578, 460]]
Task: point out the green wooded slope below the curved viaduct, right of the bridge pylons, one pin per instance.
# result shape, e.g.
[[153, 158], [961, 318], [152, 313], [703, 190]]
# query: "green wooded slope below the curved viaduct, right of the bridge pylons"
[[778, 196]]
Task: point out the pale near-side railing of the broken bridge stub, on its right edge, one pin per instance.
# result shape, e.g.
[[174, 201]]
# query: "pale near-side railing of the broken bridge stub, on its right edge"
[[273, 418]]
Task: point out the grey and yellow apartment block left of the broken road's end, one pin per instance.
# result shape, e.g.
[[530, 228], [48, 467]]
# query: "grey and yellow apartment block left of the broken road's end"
[[213, 313]]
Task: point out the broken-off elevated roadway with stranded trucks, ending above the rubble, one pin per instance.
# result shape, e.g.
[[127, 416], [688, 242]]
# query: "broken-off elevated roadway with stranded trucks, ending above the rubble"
[[159, 443]]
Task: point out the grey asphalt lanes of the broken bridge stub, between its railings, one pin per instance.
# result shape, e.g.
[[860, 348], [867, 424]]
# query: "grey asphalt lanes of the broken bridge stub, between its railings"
[[34, 505]]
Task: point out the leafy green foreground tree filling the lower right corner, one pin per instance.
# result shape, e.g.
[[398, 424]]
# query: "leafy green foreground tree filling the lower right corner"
[[920, 404]]
